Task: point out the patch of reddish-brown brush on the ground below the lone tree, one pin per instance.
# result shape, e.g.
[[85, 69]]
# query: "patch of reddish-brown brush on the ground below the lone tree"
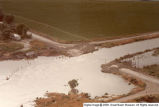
[[62, 100]]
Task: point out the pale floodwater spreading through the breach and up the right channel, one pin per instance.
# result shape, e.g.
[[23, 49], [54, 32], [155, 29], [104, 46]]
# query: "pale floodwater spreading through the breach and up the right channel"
[[29, 79]]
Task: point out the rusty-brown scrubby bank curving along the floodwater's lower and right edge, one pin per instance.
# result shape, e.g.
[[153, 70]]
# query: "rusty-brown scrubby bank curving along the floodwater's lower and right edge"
[[77, 100]]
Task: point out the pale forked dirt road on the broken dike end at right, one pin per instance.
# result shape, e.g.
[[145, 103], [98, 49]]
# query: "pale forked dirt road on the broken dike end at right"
[[151, 83]]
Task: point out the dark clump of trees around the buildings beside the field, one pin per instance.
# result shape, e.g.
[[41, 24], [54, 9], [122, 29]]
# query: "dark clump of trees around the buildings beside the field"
[[8, 27]]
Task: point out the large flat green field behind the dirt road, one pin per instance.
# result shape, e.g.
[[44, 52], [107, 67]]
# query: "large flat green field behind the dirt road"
[[83, 20]]
